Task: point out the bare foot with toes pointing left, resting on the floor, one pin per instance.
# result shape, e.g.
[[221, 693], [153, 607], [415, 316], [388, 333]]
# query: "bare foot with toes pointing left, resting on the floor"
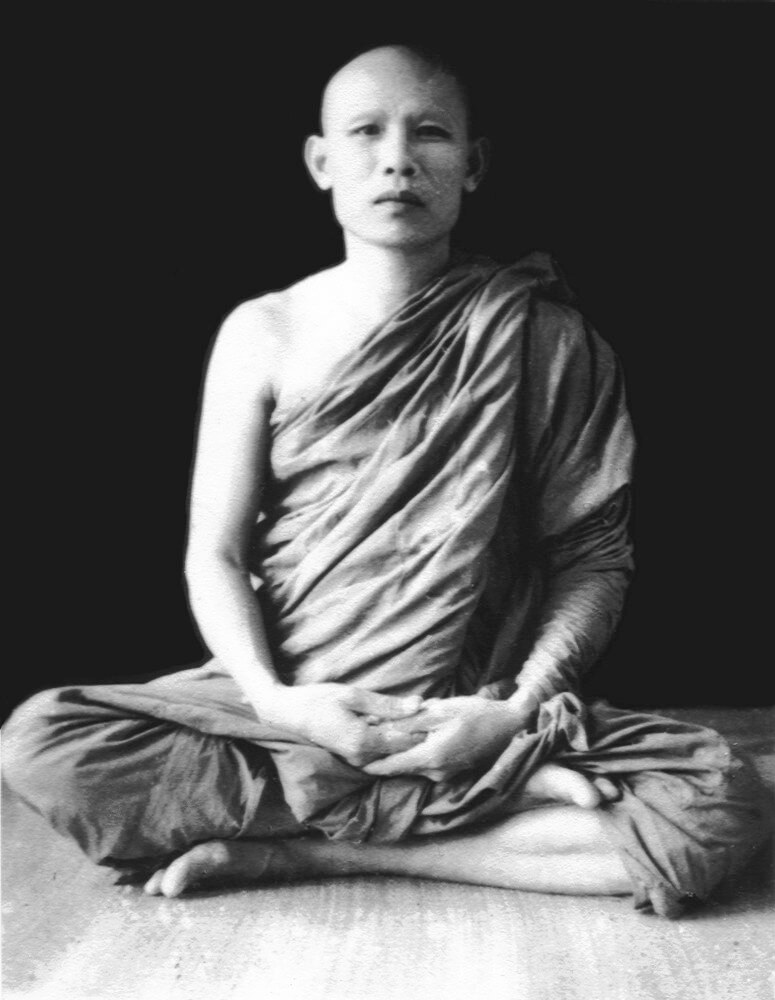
[[223, 862]]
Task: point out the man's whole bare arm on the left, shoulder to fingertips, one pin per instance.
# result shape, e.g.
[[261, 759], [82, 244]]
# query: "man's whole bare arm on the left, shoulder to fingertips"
[[228, 481]]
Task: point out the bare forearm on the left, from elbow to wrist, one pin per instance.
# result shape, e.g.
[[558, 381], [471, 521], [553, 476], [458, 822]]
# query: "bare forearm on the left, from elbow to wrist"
[[229, 617]]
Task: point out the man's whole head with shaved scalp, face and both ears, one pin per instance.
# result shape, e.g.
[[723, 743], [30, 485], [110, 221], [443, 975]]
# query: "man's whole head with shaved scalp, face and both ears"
[[395, 150]]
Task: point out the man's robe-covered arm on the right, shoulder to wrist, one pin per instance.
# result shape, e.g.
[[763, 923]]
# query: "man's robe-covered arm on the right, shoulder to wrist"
[[575, 490]]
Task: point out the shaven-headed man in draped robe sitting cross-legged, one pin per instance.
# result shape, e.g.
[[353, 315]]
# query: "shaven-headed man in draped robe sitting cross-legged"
[[408, 542]]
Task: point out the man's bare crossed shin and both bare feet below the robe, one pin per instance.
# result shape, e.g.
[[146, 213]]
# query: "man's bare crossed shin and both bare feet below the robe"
[[558, 848]]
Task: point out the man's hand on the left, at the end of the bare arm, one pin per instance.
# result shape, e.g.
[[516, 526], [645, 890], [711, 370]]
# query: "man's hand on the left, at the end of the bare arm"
[[352, 722]]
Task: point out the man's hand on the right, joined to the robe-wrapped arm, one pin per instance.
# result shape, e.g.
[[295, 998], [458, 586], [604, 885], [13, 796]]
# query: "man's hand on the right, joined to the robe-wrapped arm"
[[461, 733]]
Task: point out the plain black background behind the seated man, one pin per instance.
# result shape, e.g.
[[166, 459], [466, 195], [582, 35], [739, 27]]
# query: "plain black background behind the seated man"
[[161, 183]]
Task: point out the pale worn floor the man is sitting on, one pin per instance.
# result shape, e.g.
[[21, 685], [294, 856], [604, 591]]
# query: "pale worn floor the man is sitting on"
[[70, 933]]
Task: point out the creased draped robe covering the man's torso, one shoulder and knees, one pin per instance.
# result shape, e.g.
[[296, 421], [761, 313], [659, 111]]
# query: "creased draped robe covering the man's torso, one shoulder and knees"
[[422, 509]]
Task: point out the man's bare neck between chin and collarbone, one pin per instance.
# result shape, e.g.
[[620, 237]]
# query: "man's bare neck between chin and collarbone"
[[379, 279]]
